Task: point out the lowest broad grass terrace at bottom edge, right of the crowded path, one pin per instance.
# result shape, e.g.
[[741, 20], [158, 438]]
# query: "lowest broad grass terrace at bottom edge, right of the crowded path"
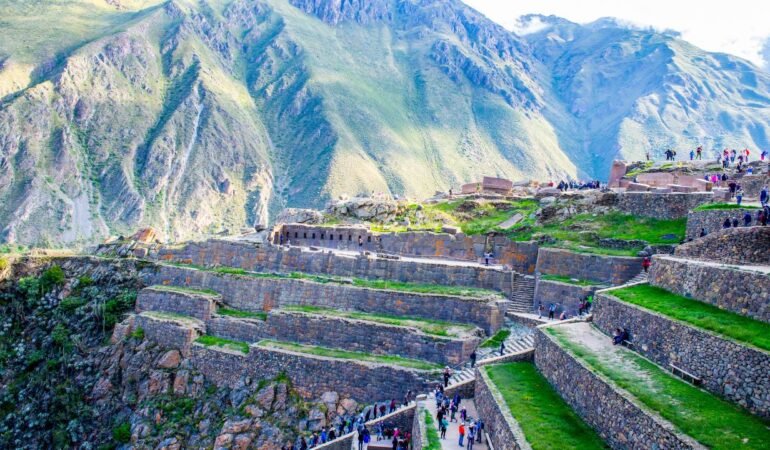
[[547, 421]]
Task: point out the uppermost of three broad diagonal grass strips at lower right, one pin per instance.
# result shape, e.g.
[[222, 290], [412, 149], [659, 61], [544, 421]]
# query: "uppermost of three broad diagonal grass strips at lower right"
[[699, 314]]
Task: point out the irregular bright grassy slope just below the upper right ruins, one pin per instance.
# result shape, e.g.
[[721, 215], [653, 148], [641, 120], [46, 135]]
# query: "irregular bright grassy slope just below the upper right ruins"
[[583, 232]]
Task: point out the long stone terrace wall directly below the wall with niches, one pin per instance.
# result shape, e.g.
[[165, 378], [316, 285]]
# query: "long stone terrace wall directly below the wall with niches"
[[269, 258]]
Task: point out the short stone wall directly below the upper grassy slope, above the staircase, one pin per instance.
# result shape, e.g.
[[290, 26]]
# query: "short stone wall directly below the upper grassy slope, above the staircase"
[[614, 270]]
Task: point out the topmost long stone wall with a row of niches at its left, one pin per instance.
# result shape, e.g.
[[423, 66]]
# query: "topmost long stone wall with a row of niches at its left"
[[521, 256]]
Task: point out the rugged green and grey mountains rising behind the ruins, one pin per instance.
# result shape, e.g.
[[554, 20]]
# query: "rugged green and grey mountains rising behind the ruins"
[[196, 116]]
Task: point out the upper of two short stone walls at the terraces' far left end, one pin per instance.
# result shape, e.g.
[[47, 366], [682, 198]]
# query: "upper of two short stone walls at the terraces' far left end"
[[200, 306]]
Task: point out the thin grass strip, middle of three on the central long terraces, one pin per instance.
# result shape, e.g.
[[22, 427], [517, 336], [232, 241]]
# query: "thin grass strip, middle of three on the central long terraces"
[[428, 326]]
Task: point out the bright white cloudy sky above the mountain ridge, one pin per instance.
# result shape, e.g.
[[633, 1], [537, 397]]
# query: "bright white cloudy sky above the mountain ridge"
[[738, 27]]
